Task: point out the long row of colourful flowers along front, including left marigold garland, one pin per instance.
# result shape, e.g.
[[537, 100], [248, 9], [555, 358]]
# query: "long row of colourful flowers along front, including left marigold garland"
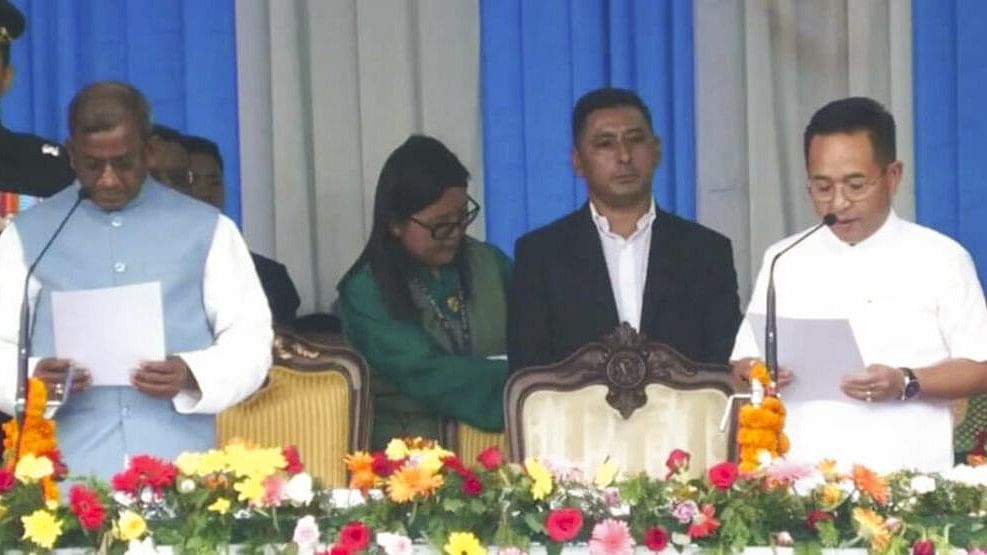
[[416, 491]]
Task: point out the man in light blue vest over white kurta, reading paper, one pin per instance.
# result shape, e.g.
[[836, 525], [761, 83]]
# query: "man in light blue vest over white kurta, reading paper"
[[130, 229]]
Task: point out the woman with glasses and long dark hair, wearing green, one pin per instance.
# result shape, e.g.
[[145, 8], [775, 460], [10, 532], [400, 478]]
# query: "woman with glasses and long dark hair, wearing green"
[[426, 304]]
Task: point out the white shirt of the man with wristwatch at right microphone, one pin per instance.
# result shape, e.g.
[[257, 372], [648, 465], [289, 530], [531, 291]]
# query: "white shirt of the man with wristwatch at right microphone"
[[912, 298]]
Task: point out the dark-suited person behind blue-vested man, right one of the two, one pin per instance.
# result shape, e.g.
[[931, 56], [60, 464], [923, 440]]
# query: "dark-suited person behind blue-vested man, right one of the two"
[[205, 167]]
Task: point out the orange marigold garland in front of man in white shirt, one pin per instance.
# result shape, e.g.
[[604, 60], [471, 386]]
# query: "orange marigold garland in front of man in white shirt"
[[761, 423]]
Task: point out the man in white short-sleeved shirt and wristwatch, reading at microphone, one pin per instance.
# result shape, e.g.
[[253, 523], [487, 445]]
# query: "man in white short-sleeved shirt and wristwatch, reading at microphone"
[[911, 296]]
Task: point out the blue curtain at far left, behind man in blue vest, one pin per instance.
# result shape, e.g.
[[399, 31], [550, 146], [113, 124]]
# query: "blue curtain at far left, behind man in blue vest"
[[180, 53]]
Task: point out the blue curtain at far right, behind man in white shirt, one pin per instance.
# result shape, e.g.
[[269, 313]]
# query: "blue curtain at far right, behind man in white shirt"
[[950, 77]]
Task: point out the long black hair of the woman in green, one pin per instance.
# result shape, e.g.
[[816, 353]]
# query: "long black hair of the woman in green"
[[414, 176]]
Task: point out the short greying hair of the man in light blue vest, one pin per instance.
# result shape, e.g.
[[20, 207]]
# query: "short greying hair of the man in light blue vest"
[[104, 105]]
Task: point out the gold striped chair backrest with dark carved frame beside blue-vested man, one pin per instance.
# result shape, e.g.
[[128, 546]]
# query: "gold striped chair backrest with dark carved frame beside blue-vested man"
[[316, 397]]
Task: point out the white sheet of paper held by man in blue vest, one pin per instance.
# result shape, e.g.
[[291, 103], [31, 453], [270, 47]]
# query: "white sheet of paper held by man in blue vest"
[[111, 330]]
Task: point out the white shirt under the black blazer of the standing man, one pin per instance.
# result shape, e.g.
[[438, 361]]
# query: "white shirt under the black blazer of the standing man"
[[627, 263]]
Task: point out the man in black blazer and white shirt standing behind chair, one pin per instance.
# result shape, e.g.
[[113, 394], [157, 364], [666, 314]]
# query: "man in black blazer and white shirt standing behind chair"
[[620, 257]]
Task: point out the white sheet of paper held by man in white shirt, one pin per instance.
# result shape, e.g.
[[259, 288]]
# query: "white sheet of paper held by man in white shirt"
[[818, 351]]
